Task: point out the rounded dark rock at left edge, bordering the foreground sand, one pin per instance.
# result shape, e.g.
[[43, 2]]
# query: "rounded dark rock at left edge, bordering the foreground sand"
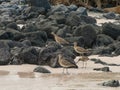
[[4, 56]]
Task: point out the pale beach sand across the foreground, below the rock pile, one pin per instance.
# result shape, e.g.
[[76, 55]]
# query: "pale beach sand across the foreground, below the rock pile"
[[22, 77]]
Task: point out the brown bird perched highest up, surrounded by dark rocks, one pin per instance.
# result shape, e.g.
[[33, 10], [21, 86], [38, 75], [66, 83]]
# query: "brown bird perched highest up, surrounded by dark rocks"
[[59, 39]]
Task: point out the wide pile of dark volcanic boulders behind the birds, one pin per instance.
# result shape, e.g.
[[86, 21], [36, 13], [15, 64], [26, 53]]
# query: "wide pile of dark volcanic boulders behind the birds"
[[32, 41]]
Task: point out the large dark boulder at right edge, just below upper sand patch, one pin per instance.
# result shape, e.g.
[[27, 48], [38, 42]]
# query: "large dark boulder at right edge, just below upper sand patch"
[[111, 30]]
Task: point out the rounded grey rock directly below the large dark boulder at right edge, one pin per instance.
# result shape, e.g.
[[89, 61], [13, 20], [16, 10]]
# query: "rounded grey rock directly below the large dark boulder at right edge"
[[103, 40]]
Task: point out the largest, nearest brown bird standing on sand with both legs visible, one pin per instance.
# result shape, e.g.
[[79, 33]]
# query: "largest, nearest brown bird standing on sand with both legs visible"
[[63, 61]]
